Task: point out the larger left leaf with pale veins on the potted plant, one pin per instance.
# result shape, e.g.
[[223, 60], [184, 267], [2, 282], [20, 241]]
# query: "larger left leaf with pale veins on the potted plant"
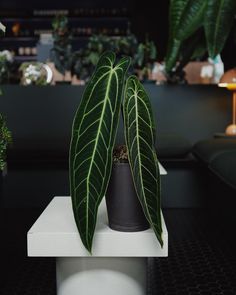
[[93, 135]]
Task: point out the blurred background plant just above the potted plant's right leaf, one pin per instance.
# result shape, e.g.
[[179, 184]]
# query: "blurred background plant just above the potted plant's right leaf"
[[145, 57]]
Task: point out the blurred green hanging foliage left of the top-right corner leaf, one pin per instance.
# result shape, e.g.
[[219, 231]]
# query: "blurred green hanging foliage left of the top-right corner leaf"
[[185, 17]]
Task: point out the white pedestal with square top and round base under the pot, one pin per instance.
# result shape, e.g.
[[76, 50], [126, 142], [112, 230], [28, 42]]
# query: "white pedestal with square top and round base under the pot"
[[118, 264]]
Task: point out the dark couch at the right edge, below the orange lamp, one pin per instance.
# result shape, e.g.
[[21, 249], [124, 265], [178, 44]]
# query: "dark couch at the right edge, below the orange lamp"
[[218, 159]]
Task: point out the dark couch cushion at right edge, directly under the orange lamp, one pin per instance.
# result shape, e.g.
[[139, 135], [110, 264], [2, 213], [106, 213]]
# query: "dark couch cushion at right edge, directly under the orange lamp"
[[207, 150]]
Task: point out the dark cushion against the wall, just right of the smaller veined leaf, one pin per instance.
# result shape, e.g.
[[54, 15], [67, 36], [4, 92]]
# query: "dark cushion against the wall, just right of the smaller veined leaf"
[[172, 146]]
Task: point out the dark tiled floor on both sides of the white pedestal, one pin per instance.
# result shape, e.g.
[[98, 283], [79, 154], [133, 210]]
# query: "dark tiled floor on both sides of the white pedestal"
[[201, 257]]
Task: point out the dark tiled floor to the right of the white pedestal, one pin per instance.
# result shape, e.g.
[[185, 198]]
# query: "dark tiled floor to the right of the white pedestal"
[[201, 260]]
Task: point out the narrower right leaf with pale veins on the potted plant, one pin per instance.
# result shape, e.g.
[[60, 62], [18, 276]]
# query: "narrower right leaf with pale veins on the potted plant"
[[140, 140]]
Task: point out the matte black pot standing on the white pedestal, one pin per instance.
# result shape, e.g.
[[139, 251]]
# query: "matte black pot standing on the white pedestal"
[[123, 207]]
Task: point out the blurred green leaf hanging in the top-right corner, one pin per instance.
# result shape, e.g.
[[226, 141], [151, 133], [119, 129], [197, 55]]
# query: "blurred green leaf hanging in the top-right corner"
[[218, 22]]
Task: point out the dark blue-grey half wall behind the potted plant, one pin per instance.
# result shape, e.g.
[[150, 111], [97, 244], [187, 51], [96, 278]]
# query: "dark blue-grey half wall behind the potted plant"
[[42, 116]]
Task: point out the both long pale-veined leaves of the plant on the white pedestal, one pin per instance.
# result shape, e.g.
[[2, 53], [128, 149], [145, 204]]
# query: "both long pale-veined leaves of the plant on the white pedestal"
[[92, 143]]
